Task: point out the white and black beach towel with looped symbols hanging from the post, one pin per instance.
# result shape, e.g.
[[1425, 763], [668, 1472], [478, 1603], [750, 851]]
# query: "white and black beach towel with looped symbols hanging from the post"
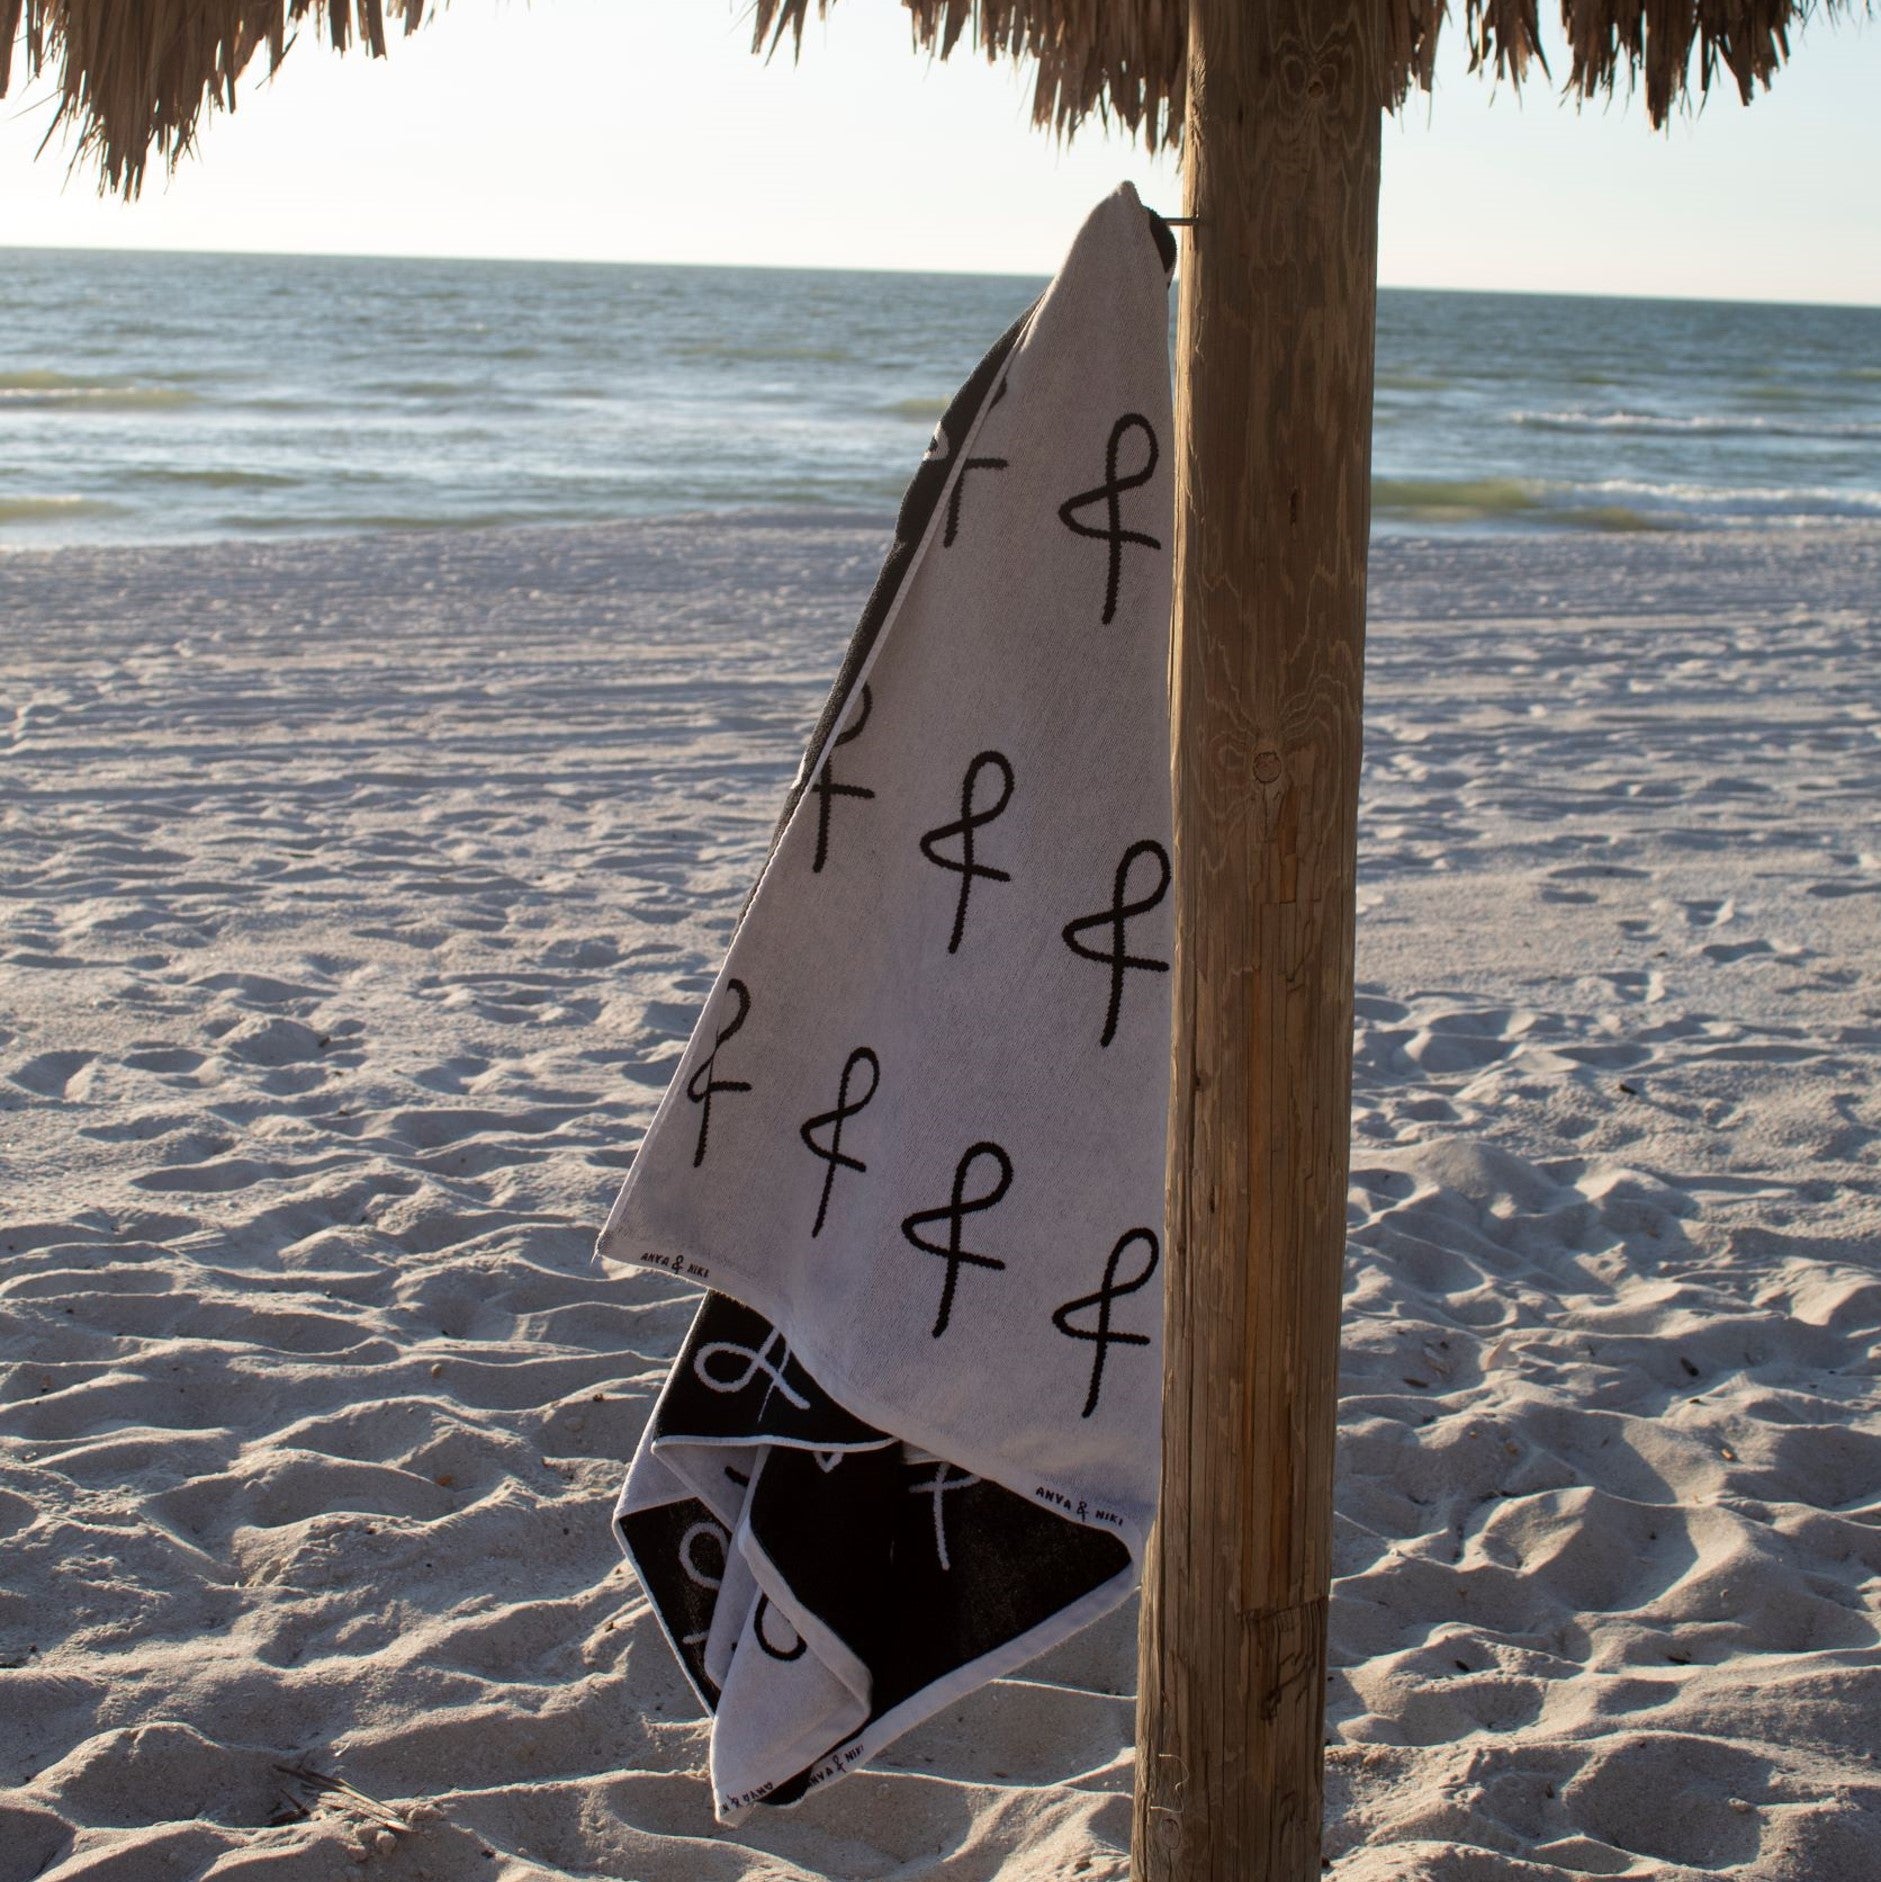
[[916, 1145]]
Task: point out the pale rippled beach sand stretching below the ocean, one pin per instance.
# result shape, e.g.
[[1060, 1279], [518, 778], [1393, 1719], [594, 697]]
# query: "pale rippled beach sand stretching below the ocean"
[[359, 897]]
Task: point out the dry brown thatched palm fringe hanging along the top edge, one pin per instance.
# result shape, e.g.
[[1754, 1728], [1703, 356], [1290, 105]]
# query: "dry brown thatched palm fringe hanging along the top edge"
[[138, 76]]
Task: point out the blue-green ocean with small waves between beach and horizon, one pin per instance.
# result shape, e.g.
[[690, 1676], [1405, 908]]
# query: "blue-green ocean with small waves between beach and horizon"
[[159, 398]]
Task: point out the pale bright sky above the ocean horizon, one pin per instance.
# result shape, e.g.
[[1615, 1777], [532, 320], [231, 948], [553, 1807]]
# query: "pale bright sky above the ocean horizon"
[[645, 131]]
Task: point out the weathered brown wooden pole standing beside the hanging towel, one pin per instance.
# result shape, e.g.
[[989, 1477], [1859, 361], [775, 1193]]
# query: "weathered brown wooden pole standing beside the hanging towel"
[[1274, 511]]
